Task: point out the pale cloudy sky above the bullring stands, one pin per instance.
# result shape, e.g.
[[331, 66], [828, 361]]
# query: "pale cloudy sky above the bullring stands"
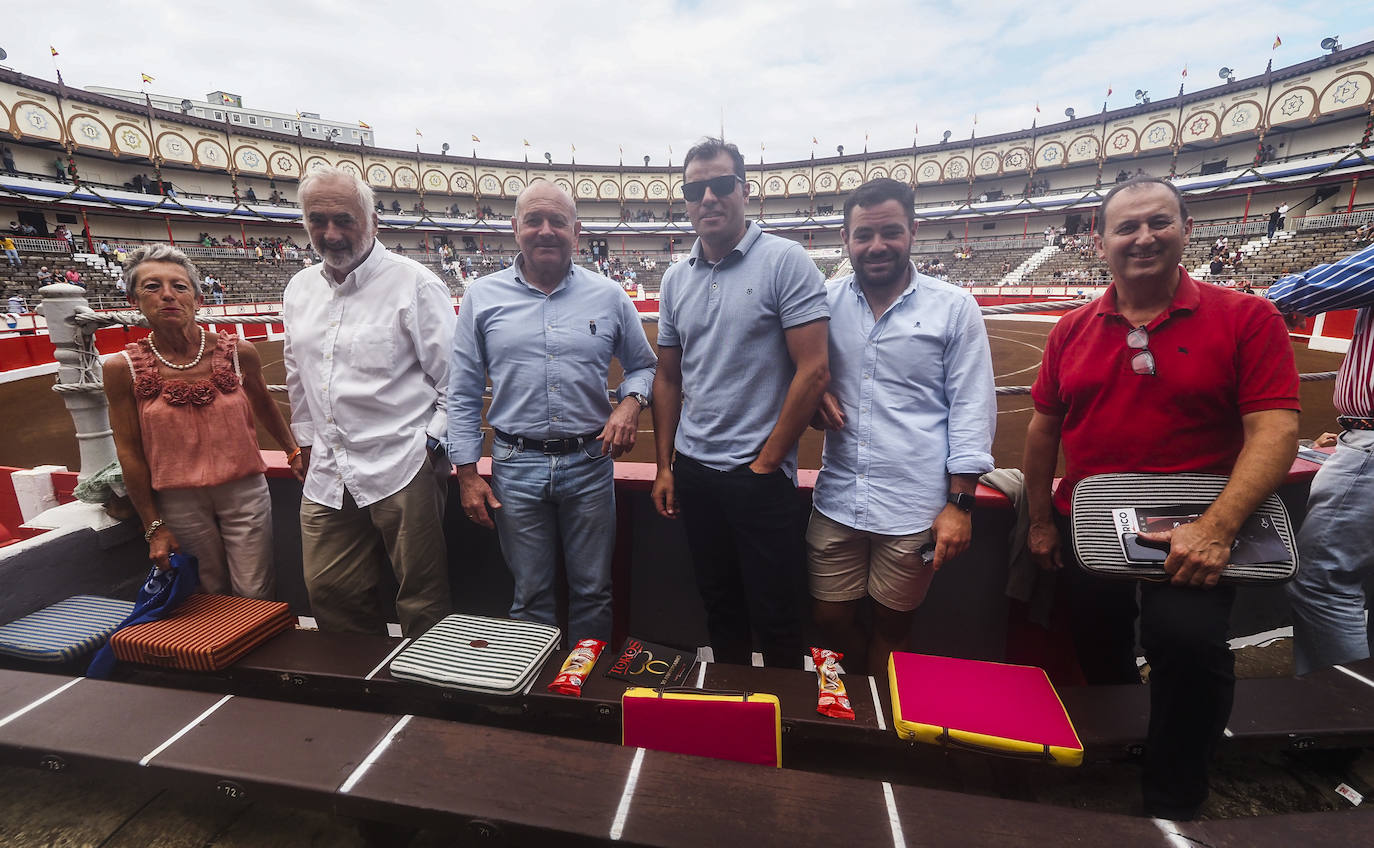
[[646, 76]]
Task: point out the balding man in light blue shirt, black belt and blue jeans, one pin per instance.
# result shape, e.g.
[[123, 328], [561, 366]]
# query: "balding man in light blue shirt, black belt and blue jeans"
[[545, 331]]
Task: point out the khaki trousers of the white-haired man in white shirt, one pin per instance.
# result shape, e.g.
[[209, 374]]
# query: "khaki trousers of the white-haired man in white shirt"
[[344, 555]]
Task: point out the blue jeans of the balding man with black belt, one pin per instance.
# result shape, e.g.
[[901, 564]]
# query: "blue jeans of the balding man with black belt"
[[546, 500]]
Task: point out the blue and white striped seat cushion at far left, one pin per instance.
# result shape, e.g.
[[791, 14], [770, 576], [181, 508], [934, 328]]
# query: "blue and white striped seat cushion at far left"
[[64, 632]]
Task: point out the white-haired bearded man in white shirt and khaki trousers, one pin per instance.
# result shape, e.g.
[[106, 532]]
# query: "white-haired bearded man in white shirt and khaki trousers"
[[368, 343]]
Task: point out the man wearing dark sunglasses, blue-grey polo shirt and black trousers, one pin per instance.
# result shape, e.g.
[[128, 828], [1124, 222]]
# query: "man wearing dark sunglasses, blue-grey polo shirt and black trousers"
[[743, 362]]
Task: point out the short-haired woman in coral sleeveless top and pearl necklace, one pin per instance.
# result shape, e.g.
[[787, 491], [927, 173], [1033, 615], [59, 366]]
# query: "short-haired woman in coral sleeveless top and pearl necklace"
[[182, 408]]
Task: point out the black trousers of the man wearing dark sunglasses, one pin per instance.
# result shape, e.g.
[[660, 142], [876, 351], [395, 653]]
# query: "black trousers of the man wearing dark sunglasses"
[[747, 537]]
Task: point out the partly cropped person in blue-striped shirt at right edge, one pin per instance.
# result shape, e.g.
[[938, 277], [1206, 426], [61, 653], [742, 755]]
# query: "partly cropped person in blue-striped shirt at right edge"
[[1336, 544]]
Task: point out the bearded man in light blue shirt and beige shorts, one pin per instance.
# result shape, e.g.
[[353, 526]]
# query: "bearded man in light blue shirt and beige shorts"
[[910, 419]]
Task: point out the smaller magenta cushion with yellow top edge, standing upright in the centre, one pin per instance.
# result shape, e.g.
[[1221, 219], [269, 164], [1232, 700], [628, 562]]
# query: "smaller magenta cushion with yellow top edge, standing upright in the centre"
[[728, 726]]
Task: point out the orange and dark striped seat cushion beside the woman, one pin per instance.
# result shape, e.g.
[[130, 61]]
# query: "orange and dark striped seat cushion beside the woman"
[[207, 633]]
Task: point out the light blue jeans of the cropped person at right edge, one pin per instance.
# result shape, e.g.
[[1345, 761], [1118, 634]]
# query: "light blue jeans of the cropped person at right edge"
[[1336, 552]]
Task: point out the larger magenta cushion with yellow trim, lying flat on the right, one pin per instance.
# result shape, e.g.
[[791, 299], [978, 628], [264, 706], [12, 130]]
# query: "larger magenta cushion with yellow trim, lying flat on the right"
[[989, 707]]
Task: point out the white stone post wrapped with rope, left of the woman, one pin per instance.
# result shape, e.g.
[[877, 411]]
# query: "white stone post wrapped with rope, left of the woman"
[[79, 365]]
